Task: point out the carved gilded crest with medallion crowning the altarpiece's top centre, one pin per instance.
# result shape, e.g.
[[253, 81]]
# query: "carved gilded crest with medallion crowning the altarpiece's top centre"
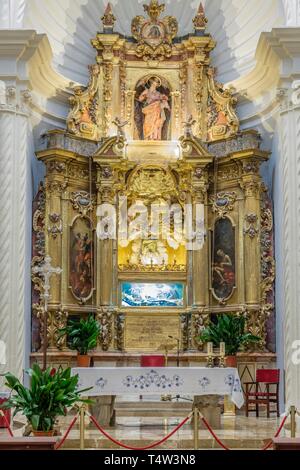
[[154, 35]]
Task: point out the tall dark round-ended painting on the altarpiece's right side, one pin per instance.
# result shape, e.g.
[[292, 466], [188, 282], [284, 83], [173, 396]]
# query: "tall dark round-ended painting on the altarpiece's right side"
[[223, 268]]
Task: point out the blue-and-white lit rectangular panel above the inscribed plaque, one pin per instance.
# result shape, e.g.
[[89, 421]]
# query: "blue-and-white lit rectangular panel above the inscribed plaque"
[[137, 294]]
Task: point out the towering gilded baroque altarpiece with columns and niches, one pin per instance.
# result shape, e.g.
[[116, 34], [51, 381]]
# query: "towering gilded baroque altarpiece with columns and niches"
[[153, 125]]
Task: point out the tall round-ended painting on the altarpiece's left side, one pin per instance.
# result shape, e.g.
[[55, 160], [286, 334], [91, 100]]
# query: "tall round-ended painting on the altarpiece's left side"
[[81, 259]]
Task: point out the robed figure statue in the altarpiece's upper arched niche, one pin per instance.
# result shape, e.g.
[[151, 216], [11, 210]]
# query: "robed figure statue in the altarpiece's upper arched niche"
[[153, 110]]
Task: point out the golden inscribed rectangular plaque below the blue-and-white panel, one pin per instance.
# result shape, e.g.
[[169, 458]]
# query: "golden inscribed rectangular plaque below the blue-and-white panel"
[[149, 333]]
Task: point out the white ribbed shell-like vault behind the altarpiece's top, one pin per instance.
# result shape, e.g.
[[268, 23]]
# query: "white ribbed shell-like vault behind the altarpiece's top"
[[235, 24]]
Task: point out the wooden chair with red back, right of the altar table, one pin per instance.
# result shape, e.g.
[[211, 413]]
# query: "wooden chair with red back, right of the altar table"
[[264, 391]]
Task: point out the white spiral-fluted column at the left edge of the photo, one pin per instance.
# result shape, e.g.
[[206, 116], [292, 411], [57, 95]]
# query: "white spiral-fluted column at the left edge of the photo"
[[15, 222]]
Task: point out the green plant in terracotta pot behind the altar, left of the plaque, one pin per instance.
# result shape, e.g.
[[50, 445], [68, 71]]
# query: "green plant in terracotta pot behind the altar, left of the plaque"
[[82, 336]]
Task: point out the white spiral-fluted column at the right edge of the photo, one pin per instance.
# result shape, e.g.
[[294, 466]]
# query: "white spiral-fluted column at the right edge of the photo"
[[289, 184]]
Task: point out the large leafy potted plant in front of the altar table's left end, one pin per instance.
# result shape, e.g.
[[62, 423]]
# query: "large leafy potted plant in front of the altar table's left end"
[[49, 396]]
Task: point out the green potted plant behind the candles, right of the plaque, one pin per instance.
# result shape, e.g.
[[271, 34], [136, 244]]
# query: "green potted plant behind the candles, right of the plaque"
[[231, 330]]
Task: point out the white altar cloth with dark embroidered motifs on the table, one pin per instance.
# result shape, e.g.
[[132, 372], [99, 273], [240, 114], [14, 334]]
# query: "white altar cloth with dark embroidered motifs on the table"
[[161, 380]]
